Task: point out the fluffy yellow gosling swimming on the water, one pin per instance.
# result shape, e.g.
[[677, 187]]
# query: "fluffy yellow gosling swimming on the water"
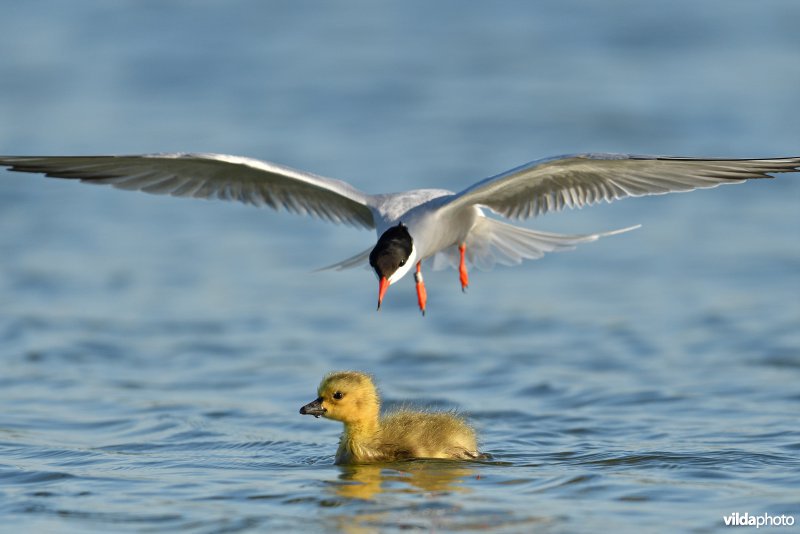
[[351, 397]]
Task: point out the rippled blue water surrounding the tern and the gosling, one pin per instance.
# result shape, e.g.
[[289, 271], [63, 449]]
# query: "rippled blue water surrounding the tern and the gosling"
[[155, 351]]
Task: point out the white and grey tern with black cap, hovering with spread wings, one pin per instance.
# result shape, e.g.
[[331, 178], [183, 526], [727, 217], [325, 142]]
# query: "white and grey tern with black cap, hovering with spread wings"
[[451, 228]]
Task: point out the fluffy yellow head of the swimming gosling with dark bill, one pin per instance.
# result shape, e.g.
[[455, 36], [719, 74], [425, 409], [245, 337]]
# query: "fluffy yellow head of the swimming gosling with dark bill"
[[346, 396]]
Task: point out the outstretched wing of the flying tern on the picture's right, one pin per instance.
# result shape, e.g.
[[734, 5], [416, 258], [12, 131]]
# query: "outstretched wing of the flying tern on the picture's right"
[[578, 180]]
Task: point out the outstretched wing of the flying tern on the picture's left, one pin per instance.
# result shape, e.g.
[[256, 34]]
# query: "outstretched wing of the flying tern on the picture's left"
[[211, 176]]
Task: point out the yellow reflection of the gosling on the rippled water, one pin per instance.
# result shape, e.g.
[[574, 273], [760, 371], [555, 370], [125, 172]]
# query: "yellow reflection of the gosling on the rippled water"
[[429, 476]]
